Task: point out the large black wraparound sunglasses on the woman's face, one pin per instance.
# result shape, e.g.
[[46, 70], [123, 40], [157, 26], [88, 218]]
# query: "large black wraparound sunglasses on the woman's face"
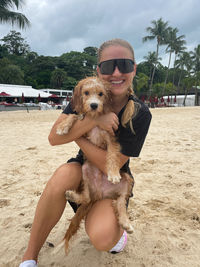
[[124, 65]]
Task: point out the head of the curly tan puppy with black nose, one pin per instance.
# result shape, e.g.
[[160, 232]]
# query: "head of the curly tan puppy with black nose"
[[91, 96]]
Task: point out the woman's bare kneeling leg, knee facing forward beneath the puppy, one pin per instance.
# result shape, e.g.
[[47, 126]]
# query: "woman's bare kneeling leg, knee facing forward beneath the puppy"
[[102, 225]]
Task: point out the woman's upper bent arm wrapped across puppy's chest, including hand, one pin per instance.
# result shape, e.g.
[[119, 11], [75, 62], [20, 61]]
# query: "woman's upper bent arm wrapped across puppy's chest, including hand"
[[108, 122]]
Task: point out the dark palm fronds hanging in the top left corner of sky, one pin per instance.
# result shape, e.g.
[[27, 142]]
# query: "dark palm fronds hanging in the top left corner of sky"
[[8, 16]]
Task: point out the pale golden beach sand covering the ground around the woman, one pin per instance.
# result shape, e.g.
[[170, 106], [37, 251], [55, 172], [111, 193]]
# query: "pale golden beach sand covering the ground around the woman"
[[165, 209]]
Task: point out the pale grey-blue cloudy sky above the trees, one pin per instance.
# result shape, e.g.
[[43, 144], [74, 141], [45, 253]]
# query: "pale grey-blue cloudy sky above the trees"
[[60, 26]]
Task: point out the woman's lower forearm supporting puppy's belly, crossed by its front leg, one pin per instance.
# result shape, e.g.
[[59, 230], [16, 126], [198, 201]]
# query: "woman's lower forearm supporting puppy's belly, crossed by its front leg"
[[97, 155]]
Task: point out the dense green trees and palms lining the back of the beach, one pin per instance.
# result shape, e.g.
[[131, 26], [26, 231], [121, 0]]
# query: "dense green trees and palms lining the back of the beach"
[[20, 65]]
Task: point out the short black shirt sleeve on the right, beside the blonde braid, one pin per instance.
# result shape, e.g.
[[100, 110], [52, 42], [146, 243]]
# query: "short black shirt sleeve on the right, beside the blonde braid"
[[131, 143]]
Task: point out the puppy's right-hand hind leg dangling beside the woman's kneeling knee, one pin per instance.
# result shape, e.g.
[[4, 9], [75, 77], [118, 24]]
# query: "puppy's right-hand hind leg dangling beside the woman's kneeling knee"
[[120, 208]]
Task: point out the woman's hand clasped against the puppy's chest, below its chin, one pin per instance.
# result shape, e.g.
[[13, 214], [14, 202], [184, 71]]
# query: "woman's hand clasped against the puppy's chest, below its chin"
[[108, 122]]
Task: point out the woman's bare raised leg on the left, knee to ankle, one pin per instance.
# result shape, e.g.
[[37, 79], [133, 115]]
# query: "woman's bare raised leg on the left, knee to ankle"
[[51, 206]]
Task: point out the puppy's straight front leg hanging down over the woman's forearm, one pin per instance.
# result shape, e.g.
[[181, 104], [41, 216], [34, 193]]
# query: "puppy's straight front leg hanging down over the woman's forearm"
[[113, 153]]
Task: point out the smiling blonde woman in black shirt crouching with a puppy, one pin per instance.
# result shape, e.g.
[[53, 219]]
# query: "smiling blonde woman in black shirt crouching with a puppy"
[[116, 64]]
